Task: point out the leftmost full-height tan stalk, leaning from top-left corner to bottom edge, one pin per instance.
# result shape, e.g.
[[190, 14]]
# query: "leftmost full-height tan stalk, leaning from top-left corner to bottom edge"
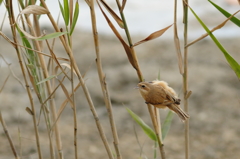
[[13, 29]]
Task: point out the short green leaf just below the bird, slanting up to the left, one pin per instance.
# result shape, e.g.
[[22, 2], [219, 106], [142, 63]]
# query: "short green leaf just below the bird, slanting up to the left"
[[148, 131]]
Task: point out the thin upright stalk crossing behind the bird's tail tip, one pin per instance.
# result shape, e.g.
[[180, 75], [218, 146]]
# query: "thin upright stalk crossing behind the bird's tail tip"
[[185, 77]]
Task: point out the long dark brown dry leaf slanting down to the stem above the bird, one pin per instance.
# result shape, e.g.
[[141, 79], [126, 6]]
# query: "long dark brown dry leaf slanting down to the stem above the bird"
[[128, 50]]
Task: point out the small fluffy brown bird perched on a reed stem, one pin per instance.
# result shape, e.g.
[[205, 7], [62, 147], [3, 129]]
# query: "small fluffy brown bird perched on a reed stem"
[[160, 95]]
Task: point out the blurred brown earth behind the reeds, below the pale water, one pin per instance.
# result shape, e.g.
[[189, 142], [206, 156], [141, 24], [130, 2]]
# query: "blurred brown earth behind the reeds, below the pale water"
[[213, 105]]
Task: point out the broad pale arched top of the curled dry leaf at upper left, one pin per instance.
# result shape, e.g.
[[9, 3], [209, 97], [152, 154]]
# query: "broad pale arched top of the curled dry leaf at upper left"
[[34, 9]]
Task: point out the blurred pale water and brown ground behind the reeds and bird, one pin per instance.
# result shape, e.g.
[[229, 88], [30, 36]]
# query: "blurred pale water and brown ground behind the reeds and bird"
[[213, 106]]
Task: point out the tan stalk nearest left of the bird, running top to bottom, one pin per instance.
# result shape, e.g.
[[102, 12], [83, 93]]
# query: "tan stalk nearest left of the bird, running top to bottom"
[[102, 81]]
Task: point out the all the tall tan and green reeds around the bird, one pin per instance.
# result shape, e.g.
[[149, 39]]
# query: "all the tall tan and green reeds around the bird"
[[47, 73]]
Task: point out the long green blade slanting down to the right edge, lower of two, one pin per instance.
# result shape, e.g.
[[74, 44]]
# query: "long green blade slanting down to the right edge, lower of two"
[[234, 65]]
